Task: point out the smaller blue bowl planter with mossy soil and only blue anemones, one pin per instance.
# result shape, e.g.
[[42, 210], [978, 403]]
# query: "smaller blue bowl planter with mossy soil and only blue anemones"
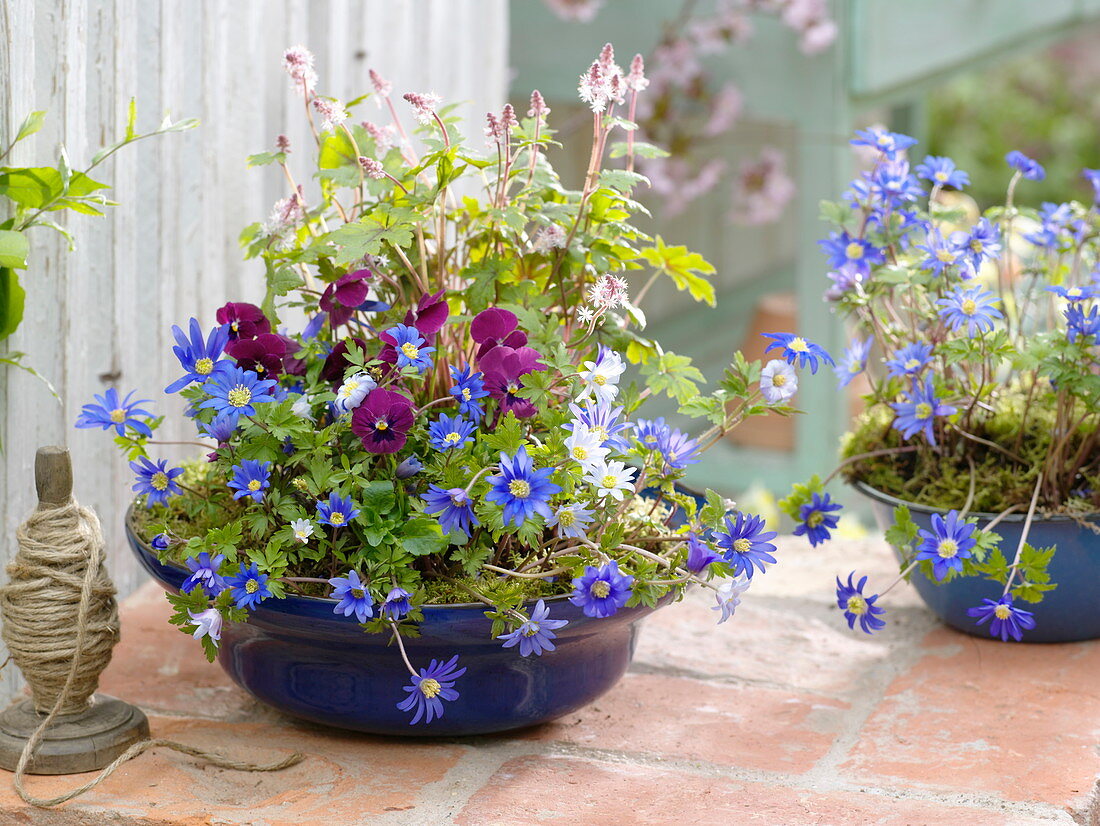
[[1070, 613]]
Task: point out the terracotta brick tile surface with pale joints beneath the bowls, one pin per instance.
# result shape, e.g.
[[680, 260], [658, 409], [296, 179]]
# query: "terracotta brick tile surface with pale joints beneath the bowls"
[[780, 717]]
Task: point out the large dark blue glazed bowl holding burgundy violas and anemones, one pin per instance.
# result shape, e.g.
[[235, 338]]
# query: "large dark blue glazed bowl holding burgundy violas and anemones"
[[298, 656]]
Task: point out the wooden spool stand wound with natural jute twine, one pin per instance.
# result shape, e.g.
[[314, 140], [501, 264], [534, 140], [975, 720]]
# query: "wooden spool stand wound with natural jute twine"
[[89, 732]]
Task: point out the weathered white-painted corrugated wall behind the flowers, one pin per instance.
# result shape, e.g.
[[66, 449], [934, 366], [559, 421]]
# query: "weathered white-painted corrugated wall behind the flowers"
[[101, 316]]
